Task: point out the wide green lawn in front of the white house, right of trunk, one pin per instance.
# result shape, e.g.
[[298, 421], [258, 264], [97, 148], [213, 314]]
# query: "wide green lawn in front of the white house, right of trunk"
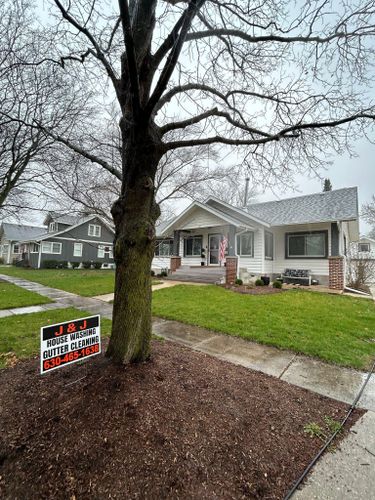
[[333, 328]]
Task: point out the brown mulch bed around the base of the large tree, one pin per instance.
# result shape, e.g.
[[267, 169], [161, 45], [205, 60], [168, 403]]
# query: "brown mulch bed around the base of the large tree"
[[183, 425]]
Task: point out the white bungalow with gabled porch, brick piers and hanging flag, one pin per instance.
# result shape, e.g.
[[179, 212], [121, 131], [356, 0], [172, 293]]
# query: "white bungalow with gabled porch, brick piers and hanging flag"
[[309, 233]]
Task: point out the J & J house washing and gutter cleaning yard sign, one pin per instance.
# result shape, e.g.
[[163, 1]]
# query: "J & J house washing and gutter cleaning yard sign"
[[66, 343]]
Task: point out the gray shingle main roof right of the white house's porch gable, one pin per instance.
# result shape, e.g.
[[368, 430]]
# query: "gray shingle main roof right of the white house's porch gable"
[[340, 204]]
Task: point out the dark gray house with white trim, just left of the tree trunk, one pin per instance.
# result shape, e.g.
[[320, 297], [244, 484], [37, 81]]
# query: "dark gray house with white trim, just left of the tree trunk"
[[69, 239]]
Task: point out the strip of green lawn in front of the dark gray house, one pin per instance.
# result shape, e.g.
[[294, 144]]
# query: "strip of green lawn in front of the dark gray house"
[[83, 282]]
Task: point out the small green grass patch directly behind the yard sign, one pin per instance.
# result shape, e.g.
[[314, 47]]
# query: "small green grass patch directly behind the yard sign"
[[20, 335]]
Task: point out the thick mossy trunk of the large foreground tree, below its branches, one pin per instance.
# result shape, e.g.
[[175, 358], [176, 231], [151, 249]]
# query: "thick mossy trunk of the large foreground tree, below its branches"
[[134, 214]]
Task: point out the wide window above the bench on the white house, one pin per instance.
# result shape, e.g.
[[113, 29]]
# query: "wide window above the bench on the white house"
[[311, 245]]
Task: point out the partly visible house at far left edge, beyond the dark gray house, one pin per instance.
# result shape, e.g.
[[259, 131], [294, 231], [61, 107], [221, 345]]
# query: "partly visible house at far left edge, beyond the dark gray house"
[[11, 236]]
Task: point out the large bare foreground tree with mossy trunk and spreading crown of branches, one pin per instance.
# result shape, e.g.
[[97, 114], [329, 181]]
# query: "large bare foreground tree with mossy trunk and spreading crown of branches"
[[282, 83]]
